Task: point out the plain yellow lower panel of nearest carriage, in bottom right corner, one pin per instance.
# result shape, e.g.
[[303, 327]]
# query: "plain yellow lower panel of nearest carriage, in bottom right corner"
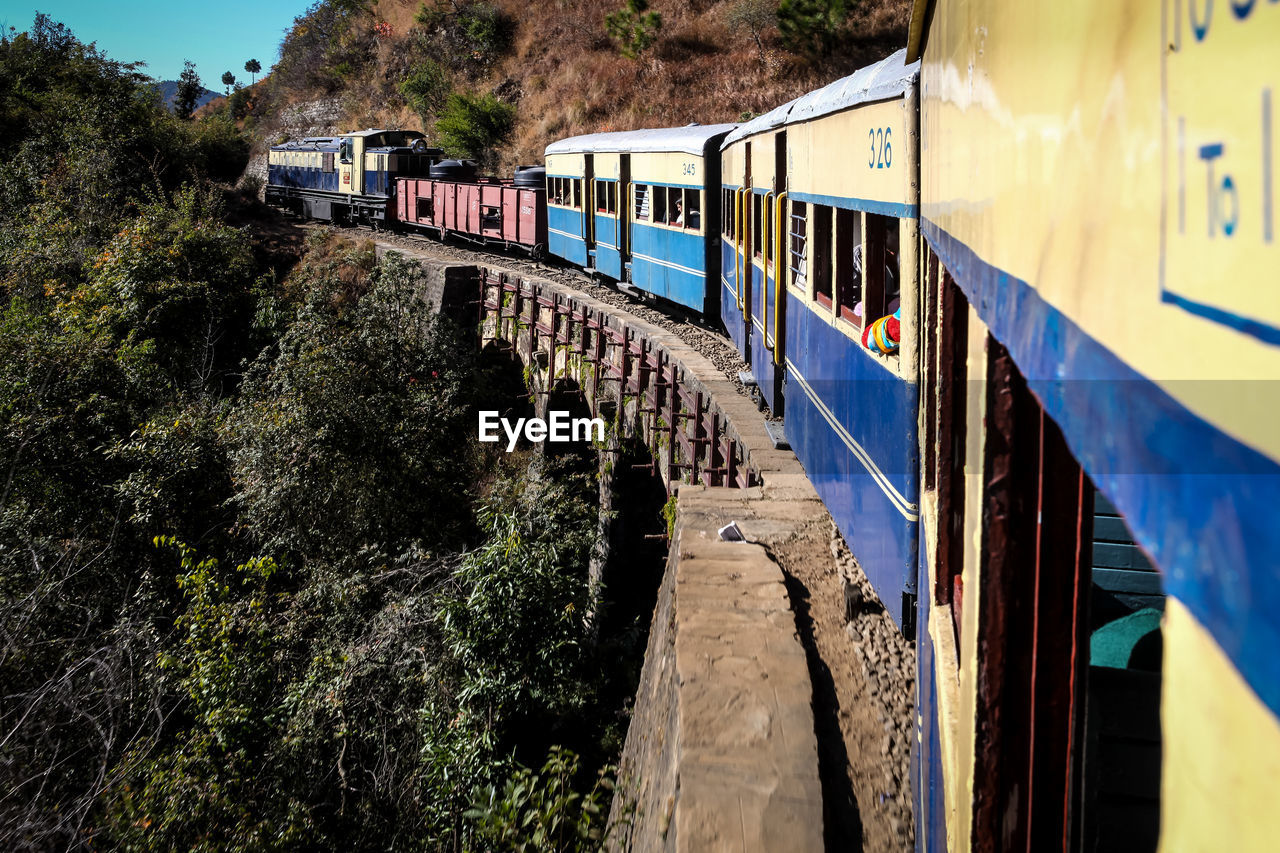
[[1222, 764]]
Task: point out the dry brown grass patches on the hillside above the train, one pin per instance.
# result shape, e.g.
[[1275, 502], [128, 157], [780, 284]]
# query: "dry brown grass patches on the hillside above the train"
[[568, 79]]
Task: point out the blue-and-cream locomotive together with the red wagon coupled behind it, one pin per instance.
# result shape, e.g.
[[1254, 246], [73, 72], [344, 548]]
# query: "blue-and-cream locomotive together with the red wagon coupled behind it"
[[392, 179]]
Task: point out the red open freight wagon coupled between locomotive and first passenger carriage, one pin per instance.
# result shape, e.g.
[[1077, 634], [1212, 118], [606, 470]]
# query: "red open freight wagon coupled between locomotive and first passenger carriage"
[[488, 211]]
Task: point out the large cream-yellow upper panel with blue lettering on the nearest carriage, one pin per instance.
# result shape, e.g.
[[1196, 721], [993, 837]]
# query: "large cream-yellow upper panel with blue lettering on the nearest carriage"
[[1073, 145]]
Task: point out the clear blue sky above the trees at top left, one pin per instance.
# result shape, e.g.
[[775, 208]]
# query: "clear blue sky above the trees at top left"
[[218, 37]]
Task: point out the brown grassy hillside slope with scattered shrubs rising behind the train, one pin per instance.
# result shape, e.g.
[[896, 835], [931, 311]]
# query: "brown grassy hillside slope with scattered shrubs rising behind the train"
[[555, 63]]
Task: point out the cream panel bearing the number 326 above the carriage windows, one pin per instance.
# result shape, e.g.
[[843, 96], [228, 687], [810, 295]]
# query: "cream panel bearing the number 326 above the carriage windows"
[[865, 153]]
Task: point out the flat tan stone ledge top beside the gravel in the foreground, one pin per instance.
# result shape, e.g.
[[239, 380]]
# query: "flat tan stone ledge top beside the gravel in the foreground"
[[737, 768]]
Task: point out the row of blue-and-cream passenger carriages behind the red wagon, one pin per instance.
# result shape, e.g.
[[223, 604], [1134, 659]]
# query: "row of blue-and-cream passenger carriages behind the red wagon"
[[1064, 482]]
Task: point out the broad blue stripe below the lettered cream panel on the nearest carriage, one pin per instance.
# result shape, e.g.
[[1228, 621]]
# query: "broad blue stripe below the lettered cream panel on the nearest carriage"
[[1200, 503]]
